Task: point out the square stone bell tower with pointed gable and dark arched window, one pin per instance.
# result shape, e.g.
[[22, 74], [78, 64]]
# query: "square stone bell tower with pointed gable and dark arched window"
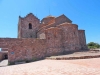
[[24, 31]]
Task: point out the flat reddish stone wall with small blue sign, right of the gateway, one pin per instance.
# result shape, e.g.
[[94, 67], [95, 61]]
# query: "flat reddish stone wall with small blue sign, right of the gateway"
[[26, 50]]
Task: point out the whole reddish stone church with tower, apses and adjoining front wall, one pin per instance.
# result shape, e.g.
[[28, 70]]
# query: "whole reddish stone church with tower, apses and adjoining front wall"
[[39, 39]]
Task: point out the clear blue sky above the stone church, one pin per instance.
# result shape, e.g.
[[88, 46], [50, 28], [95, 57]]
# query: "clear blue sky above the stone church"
[[84, 13]]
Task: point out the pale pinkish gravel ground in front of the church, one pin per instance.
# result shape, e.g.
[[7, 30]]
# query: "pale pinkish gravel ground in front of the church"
[[55, 67]]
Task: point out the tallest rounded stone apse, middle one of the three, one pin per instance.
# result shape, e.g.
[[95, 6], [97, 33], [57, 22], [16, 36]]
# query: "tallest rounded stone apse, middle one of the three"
[[70, 36]]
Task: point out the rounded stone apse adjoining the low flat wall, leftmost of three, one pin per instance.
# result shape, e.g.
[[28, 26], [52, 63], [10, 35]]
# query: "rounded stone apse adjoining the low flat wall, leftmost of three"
[[54, 41]]
